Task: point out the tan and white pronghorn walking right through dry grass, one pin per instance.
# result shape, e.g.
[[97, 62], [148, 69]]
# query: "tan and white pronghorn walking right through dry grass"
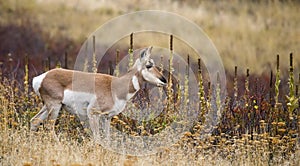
[[108, 96]]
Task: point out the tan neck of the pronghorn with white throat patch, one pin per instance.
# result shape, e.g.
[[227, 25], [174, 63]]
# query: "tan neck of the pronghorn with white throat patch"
[[126, 86]]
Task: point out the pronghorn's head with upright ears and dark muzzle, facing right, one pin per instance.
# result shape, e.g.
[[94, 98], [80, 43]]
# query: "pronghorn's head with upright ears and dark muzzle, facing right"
[[145, 65]]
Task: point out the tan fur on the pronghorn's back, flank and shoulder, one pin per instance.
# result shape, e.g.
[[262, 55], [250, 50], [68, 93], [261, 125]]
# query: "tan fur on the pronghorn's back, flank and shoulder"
[[58, 80]]
